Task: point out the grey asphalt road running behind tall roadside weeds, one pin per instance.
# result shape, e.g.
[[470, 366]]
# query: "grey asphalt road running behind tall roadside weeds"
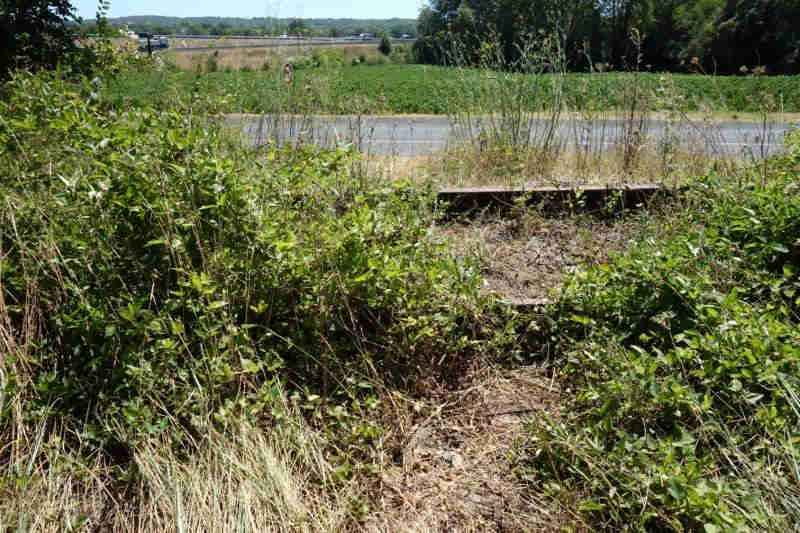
[[408, 136]]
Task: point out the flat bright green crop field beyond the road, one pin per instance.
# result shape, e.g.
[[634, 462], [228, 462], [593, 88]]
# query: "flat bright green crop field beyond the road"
[[422, 89]]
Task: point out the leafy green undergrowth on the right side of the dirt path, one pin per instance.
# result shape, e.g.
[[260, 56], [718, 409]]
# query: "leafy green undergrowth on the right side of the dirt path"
[[682, 358]]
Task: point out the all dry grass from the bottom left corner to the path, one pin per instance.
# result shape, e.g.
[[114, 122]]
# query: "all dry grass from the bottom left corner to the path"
[[242, 479]]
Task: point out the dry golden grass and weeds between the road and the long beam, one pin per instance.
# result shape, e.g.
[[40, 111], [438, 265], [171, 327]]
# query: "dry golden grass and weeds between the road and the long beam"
[[585, 152]]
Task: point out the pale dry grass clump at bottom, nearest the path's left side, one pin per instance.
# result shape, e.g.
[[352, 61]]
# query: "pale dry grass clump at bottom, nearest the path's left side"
[[248, 480]]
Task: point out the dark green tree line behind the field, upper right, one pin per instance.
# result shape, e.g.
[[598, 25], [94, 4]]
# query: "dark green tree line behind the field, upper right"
[[714, 36]]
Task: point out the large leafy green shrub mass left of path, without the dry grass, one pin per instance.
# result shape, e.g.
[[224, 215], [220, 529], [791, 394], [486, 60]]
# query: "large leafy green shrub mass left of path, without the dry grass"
[[153, 273]]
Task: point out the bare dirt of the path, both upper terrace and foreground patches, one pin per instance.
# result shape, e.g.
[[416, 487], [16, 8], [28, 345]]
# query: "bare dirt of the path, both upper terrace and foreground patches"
[[458, 468]]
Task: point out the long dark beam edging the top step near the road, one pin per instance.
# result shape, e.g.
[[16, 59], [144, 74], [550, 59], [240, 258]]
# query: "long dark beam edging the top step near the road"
[[611, 198]]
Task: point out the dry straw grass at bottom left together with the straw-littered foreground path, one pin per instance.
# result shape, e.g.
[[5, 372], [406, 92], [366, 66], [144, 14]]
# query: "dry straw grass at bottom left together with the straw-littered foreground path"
[[451, 469]]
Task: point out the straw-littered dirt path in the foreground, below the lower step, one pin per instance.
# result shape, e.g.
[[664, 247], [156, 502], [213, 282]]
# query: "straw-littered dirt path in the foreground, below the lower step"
[[456, 470]]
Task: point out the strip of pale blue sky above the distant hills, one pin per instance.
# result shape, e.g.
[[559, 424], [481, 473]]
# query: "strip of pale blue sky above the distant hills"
[[375, 9]]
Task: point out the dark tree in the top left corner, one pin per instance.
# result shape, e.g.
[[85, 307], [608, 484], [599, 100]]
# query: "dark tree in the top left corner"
[[36, 34]]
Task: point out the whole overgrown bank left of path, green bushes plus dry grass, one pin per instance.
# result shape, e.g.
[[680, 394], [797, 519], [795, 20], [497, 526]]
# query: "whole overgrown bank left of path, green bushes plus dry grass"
[[181, 317]]
